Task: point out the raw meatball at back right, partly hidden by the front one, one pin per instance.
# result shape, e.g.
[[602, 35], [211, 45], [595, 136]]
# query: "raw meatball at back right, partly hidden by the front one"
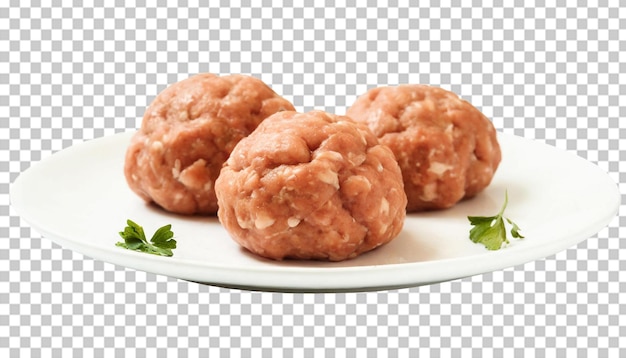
[[446, 148]]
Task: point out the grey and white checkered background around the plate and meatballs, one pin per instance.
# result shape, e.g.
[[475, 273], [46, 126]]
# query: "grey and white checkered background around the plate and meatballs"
[[71, 71]]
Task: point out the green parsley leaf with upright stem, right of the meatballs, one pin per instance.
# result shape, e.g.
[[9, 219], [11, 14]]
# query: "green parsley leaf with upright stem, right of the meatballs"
[[491, 231]]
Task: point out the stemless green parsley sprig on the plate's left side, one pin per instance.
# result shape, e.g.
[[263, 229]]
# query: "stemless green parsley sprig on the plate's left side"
[[161, 243]]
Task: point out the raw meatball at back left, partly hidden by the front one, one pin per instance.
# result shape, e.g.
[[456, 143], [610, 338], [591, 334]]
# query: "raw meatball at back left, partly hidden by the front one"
[[187, 134]]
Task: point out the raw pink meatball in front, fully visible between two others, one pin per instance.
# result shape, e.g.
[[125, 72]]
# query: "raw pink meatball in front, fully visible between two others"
[[311, 186]]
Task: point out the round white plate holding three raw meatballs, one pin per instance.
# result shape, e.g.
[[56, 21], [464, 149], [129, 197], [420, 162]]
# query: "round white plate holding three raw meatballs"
[[78, 198]]
